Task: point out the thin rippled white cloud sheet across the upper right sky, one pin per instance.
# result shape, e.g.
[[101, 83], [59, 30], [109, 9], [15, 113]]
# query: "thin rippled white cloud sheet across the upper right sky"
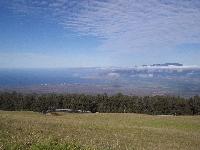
[[123, 25]]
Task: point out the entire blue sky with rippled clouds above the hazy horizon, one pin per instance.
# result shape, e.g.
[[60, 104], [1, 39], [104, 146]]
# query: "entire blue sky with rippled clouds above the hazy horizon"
[[98, 33]]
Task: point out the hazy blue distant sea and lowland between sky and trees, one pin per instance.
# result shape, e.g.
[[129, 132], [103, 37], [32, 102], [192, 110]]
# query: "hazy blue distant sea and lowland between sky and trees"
[[157, 79]]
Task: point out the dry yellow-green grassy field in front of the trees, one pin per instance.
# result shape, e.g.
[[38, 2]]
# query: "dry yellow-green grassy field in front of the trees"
[[31, 130]]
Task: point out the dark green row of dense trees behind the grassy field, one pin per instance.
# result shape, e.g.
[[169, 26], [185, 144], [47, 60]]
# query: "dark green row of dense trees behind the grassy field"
[[119, 103]]
